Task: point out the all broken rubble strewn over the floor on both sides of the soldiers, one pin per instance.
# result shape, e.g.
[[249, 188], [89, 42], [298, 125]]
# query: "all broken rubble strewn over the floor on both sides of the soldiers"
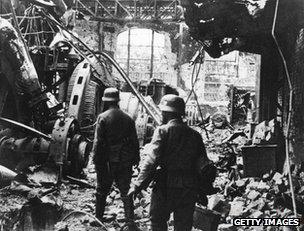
[[74, 204]]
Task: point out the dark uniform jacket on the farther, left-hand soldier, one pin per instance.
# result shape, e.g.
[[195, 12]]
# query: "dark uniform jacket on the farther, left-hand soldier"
[[115, 138]]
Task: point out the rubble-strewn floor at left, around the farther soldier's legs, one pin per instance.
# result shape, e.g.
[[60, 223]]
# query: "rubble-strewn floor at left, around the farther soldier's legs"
[[20, 199]]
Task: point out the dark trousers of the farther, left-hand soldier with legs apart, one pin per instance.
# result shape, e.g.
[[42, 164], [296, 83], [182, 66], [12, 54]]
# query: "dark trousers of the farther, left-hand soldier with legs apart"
[[121, 174]]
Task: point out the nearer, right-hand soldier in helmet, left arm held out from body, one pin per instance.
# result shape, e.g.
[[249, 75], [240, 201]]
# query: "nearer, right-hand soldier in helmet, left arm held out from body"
[[172, 161]]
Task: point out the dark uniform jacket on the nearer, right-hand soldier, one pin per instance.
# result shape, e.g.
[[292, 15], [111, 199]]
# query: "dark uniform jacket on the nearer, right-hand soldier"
[[177, 149]]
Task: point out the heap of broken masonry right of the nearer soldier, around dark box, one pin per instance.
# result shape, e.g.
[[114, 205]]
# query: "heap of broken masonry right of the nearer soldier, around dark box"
[[249, 197]]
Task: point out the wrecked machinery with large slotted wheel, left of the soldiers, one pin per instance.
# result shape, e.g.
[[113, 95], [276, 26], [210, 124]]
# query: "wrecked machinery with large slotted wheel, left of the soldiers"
[[42, 115]]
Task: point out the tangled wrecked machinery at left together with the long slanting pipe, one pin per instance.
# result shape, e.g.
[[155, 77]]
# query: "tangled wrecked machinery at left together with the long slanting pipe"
[[50, 94]]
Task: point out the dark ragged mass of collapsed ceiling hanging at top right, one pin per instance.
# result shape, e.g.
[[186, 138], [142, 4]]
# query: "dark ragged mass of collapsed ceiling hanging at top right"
[[226, 25]]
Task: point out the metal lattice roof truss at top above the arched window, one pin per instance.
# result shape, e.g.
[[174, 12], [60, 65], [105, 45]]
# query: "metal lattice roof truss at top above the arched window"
[[123, 11]]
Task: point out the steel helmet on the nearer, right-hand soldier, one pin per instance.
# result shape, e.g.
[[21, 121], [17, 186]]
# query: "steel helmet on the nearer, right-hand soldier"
[[172, 103]]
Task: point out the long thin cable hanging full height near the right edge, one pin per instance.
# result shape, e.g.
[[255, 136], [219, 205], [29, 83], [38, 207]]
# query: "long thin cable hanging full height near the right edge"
[[289, 107]]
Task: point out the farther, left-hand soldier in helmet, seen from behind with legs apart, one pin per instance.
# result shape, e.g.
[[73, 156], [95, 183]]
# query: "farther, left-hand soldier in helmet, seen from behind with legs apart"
[[116, 150]]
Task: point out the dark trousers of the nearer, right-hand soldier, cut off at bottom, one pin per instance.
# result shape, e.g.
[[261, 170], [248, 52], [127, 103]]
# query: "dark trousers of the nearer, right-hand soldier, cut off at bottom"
[[177, 200]]
